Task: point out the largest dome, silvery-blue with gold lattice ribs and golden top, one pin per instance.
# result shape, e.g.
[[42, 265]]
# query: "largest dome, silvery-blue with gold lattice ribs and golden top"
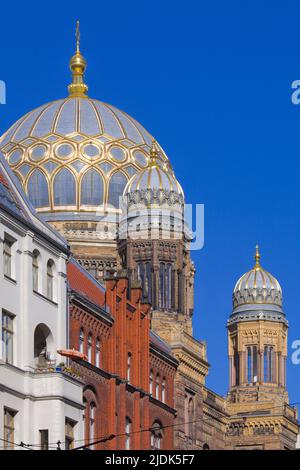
[[76, 155]]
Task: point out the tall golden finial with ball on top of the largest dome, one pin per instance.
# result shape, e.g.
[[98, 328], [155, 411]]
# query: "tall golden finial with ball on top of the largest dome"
[[78, 67]]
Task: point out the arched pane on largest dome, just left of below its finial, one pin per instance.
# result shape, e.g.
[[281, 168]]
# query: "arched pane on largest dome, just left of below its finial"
[[64, 188]]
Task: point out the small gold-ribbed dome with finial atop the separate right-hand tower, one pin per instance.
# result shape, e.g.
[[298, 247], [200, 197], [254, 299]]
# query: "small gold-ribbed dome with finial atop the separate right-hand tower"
[[257, 286]]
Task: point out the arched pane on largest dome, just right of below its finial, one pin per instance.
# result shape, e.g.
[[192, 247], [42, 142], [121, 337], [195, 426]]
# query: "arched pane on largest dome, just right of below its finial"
[[92, 188]]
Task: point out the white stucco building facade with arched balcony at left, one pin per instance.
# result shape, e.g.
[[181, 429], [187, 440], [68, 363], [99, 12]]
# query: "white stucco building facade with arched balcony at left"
[[39, 396]]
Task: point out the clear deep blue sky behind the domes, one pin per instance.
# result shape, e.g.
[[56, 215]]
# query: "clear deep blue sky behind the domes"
[[212, 82]]
